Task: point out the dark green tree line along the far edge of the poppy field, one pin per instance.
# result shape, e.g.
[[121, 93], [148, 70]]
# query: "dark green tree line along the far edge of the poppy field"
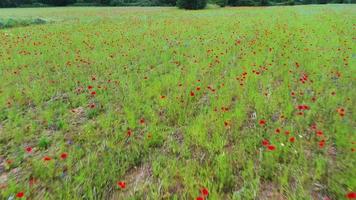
[[187, 4]]
